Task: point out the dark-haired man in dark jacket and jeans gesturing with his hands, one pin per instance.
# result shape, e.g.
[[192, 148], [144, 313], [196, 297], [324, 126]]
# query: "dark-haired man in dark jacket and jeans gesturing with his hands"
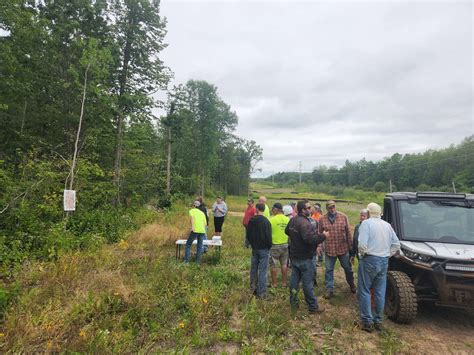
[[304, 240]]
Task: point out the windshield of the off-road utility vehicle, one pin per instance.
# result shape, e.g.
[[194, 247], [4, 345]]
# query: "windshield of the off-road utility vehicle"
[[437, 221]]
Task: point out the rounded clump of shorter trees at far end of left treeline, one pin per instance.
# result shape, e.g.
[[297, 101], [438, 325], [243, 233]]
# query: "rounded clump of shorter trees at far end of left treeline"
[[206, 155]]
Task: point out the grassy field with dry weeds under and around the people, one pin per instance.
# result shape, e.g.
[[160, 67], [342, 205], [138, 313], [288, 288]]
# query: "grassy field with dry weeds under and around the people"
[[135, 296]]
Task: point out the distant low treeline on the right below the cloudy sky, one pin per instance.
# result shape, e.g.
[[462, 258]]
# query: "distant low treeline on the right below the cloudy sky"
[[433, 169]]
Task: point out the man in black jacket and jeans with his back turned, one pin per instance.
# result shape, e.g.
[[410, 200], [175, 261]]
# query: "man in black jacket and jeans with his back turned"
[[259, 236]]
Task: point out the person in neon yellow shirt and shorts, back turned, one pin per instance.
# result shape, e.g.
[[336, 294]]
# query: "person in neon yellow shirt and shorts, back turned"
[[279, 250]]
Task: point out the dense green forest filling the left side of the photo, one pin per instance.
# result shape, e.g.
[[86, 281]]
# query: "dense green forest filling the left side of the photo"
[[77, 85]]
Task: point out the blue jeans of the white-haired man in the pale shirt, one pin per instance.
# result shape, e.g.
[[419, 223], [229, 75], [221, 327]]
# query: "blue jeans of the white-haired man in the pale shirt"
[[372, 274]]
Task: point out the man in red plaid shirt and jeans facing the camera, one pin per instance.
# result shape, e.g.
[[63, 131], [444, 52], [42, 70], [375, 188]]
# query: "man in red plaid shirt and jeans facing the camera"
[[337, 246]]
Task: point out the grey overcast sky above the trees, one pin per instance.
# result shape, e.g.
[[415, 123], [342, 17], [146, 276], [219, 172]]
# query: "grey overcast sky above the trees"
[[322, 82]]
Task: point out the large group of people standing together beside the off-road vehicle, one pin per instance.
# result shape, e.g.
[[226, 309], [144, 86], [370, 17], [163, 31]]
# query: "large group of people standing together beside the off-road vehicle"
[[301, 237]]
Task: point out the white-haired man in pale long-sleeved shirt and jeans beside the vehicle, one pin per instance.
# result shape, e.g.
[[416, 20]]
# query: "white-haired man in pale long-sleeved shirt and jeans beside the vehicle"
[[377, 242]]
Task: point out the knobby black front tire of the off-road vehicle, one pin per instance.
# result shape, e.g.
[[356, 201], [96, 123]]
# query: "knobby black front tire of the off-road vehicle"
[[400, 299]]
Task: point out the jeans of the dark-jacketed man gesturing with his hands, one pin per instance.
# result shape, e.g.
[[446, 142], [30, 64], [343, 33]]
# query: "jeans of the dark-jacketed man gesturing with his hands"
[[303, 270]]
